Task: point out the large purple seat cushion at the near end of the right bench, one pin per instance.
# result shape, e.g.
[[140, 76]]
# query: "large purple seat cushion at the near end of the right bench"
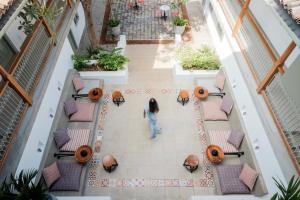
[[229, 180]]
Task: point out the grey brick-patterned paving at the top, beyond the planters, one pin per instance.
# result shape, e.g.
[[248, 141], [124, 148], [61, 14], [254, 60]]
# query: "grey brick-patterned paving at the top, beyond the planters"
[[142, 24]]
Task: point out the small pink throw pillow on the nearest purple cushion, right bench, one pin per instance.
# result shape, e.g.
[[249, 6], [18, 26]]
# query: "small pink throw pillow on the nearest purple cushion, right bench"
[[248, 176]]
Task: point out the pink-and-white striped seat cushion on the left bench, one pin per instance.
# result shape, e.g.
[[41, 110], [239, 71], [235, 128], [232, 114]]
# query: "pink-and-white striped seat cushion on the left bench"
[[78, 137]]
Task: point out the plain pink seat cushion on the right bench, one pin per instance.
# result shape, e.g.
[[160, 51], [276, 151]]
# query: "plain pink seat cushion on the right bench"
[[212, 111]]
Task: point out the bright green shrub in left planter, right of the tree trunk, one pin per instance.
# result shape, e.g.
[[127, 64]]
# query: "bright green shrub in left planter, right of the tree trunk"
[[111, 60]]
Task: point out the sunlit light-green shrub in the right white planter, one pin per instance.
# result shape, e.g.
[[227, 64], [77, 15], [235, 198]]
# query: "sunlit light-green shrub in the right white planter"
[[204, 58]]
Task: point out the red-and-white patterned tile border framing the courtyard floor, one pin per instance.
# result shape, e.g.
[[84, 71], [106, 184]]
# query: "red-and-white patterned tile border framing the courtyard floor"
[[97, 182]]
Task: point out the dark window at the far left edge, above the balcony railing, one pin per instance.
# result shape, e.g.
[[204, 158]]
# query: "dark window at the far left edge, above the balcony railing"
[[7, 53]]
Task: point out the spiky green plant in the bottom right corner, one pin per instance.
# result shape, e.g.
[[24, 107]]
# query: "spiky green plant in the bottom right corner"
[[291, 192]]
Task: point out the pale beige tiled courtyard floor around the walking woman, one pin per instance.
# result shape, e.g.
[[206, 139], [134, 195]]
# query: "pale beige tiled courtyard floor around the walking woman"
[[150, 169]]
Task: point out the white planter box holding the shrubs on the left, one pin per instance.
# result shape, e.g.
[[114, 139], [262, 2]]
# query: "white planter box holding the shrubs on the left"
[[110, 77]]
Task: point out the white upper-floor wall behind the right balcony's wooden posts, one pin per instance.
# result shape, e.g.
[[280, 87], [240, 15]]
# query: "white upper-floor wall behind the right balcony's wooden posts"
[[273, 28]]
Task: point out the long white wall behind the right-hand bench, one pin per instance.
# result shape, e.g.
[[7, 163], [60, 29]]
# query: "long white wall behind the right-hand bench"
[[256, 132]]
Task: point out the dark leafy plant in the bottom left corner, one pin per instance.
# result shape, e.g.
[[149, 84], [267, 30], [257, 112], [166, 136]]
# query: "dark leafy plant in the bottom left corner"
[[22, 187]]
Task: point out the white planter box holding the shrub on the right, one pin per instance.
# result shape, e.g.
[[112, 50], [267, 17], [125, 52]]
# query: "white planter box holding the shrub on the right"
[[189, 75]]
